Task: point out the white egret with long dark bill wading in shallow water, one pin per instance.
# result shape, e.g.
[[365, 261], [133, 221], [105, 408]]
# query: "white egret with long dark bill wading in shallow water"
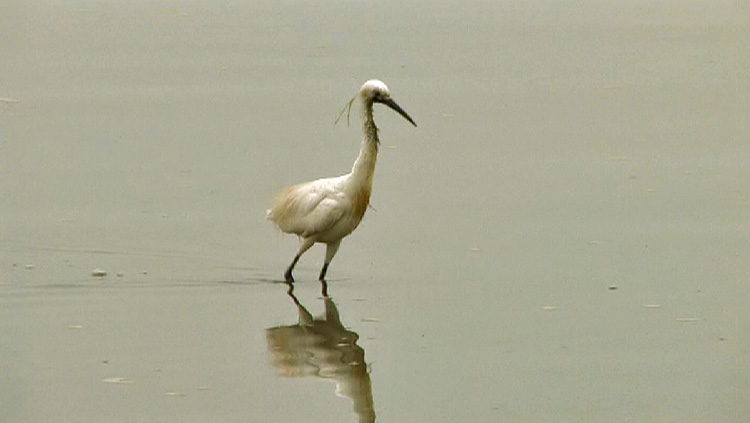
[[328, 209]]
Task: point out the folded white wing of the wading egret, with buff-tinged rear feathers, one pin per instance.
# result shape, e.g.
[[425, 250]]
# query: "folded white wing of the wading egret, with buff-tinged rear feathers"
[[309, 208]]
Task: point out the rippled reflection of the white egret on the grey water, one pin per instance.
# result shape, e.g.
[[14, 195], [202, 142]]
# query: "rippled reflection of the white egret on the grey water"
[[322, 347]]
